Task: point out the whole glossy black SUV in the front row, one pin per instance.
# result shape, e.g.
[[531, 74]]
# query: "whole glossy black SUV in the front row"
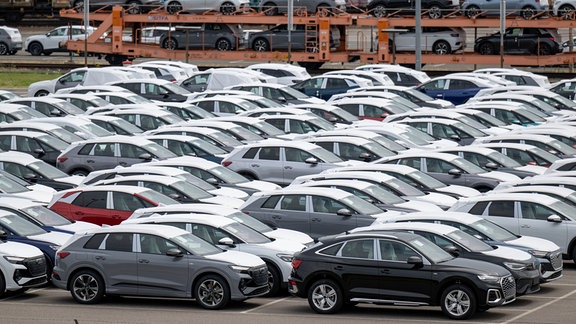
[[396, 268]]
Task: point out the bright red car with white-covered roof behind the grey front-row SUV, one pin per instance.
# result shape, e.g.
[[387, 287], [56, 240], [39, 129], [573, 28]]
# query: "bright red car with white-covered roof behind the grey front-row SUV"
[[108, 204]]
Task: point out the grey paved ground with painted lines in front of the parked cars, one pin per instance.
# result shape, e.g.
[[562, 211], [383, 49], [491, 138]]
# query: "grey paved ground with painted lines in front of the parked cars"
[[553, 304]]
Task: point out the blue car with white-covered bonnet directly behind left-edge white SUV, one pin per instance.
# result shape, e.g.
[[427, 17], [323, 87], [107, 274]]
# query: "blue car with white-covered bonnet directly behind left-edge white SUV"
[[23, 231]]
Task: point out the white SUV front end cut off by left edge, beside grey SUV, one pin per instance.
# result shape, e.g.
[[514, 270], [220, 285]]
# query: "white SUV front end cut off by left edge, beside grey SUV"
[[22, 266]]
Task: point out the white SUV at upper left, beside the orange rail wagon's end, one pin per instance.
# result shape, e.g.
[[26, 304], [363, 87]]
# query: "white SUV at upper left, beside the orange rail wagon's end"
[[53, 40]]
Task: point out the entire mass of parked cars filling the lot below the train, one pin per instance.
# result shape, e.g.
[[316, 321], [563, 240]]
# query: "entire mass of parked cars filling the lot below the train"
[[361, 169]]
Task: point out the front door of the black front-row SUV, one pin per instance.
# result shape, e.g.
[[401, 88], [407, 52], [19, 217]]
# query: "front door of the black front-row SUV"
[[399, 280]]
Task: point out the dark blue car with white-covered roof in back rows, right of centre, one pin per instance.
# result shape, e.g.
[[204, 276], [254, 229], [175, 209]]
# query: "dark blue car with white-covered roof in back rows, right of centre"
[[456, 89]]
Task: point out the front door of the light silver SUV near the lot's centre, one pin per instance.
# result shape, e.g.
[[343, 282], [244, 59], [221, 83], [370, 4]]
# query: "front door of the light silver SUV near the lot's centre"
[[297, 162]]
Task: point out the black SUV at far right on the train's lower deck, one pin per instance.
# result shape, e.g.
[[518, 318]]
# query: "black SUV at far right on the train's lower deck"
[[537, 41]]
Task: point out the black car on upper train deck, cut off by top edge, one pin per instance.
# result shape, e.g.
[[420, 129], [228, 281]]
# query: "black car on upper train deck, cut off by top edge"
[[434, 8]]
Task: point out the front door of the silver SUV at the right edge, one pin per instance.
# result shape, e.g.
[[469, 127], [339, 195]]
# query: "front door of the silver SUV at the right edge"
[[533, 221]]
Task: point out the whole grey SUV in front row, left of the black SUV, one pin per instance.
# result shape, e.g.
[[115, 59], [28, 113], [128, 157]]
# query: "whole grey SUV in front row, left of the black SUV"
[[156, 261]]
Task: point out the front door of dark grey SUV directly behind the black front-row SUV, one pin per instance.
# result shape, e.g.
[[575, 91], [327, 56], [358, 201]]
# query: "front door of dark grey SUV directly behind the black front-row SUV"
[[324, 218]]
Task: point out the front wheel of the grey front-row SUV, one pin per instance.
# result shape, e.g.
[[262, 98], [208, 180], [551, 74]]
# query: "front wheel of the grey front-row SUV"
[[212, 292]]
